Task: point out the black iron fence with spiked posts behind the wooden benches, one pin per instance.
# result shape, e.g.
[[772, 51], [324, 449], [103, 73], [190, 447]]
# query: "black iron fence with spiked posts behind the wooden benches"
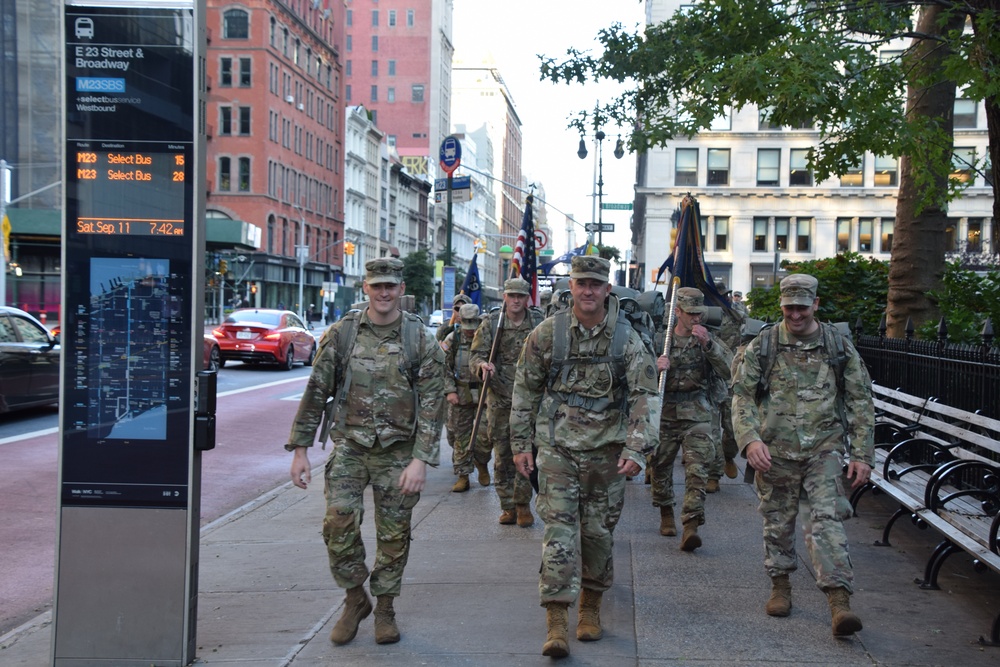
[[962, 376]]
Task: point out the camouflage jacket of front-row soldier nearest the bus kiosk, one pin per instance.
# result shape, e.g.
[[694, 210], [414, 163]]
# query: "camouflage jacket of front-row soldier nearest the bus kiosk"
[[380, 401]]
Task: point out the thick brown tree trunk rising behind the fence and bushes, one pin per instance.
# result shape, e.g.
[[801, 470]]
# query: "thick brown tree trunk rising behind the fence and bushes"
[[917, 262]]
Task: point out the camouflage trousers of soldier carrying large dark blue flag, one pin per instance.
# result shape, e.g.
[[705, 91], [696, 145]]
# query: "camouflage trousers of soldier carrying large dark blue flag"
[[698, 440]]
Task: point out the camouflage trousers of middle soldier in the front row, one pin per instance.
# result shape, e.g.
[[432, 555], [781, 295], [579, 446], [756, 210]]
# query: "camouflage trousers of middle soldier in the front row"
[[580, 499]]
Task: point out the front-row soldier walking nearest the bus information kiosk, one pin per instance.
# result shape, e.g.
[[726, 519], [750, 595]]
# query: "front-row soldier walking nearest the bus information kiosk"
[[386, 434]]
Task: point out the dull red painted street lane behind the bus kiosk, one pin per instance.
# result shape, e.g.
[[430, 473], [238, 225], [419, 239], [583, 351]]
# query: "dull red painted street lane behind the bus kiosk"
[[248, 460]]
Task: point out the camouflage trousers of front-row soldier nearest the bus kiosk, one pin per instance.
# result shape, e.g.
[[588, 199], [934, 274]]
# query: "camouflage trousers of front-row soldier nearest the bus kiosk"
[[349, 470]]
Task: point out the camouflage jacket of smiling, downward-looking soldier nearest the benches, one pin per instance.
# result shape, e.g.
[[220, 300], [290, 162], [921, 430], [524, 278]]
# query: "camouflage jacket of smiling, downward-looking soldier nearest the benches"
[[799, 418]]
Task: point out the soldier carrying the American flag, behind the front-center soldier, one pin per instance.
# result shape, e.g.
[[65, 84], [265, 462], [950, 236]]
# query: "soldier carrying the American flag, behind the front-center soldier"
[[514, 491]]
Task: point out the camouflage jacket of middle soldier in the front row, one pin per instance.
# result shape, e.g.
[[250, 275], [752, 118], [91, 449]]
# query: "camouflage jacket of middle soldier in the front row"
[[536, 416]]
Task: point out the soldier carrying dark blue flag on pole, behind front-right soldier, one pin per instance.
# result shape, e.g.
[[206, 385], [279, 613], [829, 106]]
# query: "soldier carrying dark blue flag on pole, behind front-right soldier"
[[697, 368]]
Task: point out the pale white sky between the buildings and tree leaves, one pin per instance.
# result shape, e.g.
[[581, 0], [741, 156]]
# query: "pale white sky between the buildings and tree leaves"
[[514, 32]]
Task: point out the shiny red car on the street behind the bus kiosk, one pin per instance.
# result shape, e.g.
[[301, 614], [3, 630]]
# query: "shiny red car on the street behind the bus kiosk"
[[265, 335]]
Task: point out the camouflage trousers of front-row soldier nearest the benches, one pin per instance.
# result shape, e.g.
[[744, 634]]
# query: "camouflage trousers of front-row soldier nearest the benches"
[[813, 489]]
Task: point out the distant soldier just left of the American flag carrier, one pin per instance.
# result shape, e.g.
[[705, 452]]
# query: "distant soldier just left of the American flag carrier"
[[461, 388]]
